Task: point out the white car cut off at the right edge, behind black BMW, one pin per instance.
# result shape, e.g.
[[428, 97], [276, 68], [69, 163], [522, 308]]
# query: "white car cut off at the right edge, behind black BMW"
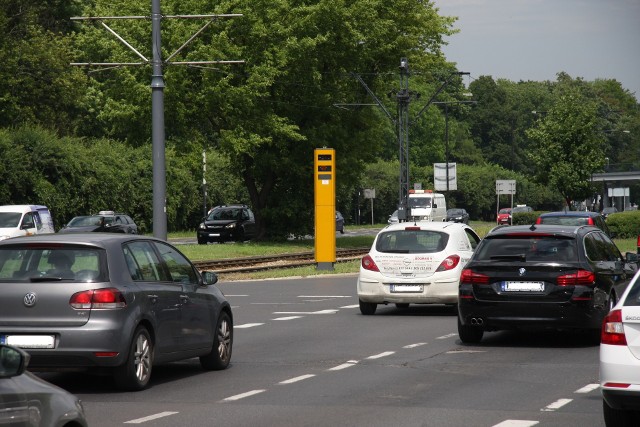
[[620, 359]]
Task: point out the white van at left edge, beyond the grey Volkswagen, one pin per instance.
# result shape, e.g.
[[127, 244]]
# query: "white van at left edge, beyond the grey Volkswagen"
[[24, 220]]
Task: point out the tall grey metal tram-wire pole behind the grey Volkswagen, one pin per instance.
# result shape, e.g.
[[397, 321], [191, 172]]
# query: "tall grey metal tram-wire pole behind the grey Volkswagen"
[[157, 128]]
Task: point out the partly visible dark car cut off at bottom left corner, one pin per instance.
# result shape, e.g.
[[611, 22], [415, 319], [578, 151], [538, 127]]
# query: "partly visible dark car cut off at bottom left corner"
[[27, 400]]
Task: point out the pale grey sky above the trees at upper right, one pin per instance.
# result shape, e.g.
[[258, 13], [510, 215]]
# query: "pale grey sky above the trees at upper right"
[[537, 39]]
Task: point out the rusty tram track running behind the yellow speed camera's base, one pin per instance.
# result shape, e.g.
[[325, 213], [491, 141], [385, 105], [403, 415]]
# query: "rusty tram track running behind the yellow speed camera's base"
[[270, 262]]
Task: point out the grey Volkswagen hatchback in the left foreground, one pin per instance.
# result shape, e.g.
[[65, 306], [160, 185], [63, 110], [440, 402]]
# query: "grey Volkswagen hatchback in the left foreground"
[[119, 305]]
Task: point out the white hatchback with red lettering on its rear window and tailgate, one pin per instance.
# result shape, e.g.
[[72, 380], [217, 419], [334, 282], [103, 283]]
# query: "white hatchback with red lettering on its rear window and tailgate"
[[415, 263]]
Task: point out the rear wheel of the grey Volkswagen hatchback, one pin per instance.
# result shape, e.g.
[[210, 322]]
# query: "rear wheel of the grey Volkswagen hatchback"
[[136, 371]]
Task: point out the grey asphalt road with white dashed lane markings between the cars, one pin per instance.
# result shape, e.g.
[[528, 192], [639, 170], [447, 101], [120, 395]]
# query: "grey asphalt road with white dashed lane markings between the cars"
[[304, 356]]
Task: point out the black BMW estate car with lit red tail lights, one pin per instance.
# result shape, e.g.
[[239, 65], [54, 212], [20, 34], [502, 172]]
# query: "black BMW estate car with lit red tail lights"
[[541, 277]]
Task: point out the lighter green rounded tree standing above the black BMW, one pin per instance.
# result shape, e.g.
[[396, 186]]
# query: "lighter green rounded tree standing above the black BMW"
[[568, 146]]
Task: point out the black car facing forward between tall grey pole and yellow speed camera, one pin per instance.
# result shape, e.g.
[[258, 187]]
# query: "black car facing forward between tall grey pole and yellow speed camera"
[[227, 223]]
